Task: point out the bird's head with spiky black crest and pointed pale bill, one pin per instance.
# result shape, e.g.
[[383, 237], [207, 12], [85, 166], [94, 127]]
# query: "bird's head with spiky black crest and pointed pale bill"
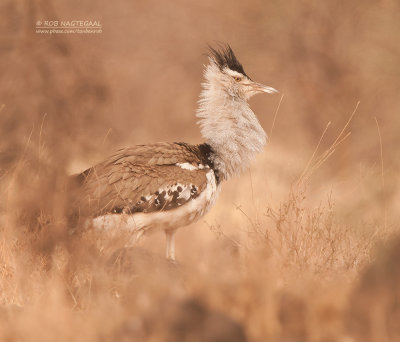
[[225, 73]]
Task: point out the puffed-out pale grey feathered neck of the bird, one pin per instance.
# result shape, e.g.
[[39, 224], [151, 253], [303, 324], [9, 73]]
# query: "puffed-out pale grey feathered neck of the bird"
[[231, 129]]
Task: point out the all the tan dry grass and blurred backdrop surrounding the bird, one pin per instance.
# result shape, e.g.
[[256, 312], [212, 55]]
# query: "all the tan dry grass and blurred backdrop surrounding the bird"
[[301, 248]]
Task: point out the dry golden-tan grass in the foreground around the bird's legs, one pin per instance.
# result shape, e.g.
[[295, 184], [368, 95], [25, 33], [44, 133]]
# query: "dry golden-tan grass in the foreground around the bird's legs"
[[284, 270]]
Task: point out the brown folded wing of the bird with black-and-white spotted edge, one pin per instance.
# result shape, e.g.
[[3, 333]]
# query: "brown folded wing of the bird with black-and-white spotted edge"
[[143, 178]]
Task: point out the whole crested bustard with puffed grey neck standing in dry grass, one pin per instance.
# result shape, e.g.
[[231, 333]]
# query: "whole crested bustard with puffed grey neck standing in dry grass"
[[168, 185]]
